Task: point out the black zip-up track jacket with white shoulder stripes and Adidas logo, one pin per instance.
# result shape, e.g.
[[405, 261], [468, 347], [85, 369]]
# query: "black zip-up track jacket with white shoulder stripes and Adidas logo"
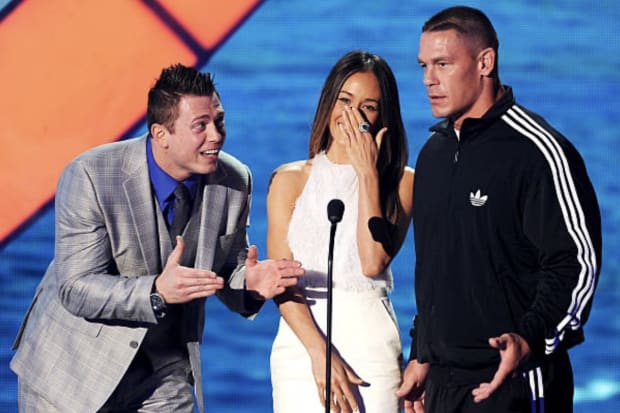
[[508, 238]]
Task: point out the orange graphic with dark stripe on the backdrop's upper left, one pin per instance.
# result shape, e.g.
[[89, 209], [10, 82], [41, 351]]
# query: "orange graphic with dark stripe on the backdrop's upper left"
[[74, 74]]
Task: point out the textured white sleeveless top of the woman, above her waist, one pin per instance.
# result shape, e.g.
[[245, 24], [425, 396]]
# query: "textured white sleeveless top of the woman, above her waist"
[[309, 228]]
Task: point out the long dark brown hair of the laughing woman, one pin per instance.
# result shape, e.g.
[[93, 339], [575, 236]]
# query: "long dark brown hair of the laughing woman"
[[394, 153]]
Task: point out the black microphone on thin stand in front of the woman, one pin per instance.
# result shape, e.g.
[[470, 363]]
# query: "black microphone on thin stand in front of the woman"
[[335, 208]]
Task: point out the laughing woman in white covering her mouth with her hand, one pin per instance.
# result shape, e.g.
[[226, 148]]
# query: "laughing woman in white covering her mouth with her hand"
[[358, 154]]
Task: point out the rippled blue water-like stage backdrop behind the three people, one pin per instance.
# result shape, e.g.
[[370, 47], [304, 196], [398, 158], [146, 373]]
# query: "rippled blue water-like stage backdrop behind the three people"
[[561, 57]]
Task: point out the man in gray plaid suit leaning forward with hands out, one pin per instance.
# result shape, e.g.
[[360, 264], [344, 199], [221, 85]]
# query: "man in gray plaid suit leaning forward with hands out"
[[117, 320]]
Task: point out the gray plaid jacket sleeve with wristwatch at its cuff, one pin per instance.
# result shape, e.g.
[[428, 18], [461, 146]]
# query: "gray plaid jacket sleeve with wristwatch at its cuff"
[[88, 281]]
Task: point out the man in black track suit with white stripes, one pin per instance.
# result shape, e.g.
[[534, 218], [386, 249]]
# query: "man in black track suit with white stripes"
[[508, 238]]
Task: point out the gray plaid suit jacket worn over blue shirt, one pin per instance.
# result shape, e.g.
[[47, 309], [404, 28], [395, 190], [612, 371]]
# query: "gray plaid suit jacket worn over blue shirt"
[[91, 310]]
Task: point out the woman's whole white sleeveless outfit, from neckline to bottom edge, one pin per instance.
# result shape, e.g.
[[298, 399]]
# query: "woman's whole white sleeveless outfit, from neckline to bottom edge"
[[364, 327]]
